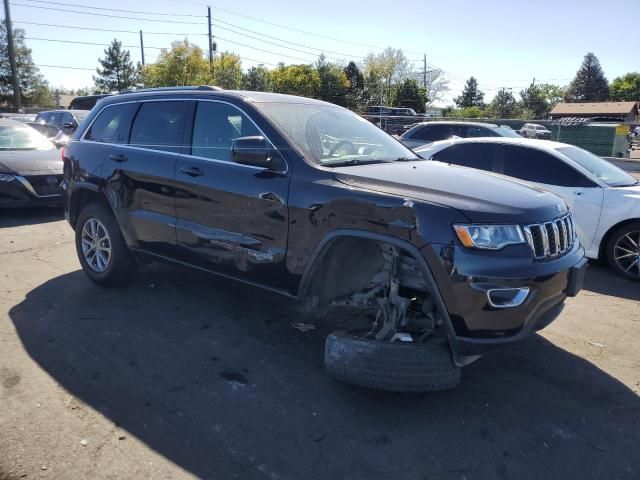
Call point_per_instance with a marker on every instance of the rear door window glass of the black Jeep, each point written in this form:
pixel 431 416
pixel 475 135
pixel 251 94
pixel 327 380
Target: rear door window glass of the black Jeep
pixel 159 126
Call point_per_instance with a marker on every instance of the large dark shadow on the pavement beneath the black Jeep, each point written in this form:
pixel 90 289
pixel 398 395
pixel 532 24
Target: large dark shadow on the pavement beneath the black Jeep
pixel 212 376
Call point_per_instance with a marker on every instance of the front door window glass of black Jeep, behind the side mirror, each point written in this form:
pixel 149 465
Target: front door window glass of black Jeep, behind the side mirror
pixel 214 128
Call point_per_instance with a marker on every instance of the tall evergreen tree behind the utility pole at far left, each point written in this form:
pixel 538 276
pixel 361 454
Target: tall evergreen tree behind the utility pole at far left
pixel 31 83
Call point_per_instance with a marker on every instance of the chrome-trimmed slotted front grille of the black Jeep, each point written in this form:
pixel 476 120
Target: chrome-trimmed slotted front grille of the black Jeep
pixel 551 239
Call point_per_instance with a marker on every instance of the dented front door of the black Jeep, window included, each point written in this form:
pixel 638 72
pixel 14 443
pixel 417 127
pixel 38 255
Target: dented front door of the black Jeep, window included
pixel 231 218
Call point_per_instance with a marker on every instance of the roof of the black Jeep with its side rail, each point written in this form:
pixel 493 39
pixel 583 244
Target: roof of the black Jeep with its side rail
pixel 250 96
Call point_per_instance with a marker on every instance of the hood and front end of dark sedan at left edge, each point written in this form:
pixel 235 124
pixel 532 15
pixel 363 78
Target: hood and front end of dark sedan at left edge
pixel 40 173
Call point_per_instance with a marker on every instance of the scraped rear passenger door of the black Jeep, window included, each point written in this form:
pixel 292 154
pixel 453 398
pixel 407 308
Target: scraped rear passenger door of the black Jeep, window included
pixel 140 174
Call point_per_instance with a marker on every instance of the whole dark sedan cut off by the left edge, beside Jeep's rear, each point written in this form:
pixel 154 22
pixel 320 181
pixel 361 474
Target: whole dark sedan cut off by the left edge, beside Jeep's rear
pixel 30 167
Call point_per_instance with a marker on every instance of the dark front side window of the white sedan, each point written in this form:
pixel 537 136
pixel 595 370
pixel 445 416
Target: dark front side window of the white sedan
pixel 537 166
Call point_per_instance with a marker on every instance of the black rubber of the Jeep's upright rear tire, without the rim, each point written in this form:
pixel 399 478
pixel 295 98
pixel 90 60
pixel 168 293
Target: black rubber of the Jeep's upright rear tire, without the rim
pixel 121 264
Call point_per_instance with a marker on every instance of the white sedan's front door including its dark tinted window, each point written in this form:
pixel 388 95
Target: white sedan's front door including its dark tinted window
pixel 548 172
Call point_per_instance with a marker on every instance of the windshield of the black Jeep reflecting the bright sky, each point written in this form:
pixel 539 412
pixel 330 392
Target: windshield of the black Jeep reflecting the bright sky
pixel 334 136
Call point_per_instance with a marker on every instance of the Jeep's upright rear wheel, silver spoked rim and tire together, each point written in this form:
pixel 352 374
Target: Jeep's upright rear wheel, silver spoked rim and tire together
pixel 102 251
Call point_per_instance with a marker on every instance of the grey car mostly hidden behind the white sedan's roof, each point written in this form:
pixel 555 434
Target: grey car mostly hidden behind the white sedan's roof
pixel 427 132
